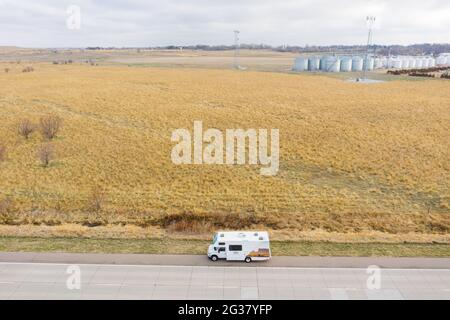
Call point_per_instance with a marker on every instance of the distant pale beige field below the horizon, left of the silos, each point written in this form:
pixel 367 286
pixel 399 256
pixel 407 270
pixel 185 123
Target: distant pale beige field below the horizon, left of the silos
pixel 262 60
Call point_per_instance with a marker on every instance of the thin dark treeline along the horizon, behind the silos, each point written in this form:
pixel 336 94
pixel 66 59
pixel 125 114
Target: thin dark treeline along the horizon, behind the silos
pixel 415 49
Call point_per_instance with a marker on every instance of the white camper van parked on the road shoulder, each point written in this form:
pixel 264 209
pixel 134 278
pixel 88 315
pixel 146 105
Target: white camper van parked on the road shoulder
pixel 245 246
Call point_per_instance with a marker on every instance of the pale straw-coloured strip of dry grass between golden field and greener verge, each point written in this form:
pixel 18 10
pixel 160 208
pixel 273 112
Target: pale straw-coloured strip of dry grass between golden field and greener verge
pixel 154 232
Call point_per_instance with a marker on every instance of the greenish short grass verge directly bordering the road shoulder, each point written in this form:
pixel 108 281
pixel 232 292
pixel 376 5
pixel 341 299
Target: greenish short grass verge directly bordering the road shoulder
pixel 182 246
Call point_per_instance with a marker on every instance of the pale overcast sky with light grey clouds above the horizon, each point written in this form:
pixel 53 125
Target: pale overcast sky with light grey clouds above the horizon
pixel 53 23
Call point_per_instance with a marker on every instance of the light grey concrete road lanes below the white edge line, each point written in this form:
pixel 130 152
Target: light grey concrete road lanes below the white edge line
pixel 59 281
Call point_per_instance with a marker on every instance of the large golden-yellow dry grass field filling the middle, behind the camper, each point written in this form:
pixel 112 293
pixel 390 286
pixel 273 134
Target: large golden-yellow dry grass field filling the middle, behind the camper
pixel 354 158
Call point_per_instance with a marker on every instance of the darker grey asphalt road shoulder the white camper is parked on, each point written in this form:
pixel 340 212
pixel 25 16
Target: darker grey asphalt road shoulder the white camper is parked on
pixel 202 260
